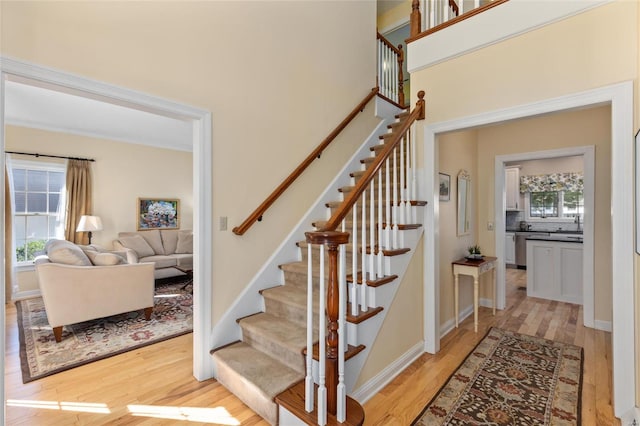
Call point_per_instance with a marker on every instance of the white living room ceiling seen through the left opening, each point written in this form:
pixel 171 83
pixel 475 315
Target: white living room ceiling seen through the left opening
pixel 32 106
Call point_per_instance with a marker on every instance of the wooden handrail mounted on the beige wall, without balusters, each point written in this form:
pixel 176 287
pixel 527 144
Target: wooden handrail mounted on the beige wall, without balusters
pixel 257 213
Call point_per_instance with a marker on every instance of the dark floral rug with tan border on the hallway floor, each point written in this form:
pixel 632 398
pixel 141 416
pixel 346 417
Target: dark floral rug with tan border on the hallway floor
pixel 511 379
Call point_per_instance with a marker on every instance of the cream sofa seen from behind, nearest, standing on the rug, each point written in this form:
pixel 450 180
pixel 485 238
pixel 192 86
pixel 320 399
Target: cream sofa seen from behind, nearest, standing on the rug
pixel 76 289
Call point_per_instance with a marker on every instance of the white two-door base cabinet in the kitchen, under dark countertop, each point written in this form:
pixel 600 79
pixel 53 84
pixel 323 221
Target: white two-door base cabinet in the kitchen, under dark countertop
pixel 554 270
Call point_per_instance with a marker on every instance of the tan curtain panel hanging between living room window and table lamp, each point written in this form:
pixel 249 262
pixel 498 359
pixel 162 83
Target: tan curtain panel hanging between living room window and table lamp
pixel 78 199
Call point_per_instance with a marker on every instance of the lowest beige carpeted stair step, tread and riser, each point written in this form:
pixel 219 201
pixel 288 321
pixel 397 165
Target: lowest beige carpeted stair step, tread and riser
pixel 255 377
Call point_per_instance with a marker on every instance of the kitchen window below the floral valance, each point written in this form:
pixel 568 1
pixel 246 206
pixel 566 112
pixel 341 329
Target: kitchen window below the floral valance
pixel 554 205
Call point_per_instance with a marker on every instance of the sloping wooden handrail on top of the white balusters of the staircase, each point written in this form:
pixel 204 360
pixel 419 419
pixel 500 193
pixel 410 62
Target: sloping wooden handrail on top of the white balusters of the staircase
pixel 417 114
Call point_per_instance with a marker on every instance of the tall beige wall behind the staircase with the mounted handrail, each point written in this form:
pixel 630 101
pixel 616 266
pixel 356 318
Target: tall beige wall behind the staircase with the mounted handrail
pixel 276 76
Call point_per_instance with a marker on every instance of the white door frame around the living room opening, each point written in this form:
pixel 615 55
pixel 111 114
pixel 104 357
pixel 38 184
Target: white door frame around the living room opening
pixel 202 183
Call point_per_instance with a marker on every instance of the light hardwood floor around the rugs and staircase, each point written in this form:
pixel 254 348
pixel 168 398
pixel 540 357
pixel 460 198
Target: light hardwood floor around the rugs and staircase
pixel 154 385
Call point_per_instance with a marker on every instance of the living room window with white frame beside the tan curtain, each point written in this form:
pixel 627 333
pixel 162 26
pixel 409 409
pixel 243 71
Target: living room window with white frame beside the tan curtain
pixel 38 197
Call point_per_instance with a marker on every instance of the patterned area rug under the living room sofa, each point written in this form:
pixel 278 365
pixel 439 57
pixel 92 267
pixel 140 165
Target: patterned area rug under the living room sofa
pixel 90 341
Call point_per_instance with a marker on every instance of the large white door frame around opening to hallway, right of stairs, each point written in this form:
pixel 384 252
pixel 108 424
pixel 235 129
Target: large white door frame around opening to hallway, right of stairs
pixel 620 97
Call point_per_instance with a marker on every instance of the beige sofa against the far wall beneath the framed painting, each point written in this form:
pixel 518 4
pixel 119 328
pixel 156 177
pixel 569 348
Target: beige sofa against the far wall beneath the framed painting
pixel 166 248
